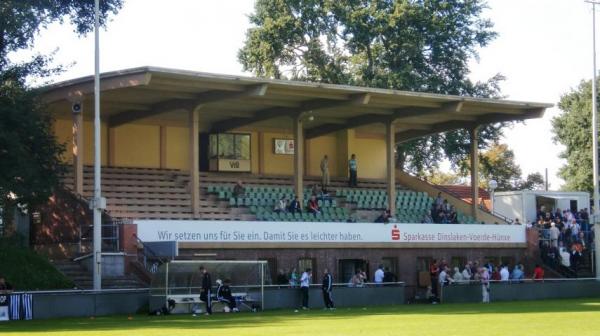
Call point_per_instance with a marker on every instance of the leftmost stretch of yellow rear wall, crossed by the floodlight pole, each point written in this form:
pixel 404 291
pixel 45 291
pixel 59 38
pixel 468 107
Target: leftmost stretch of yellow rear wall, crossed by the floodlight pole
pixel 63 130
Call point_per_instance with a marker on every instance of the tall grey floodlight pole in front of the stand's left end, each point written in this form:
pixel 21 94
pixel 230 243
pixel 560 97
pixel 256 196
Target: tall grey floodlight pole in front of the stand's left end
pixel 97 203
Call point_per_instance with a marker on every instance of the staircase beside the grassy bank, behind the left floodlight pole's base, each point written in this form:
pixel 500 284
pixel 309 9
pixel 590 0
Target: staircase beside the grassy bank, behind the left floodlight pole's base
pixel 83 279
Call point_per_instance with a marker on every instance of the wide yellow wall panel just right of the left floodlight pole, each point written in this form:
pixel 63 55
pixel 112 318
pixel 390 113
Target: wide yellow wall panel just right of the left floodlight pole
pixel 137 146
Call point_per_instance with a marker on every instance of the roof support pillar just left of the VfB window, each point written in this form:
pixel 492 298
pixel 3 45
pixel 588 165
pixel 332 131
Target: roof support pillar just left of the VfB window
pixel 194 162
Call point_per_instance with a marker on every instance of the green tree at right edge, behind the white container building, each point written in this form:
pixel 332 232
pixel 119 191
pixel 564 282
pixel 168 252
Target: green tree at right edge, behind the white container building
pixel 572 129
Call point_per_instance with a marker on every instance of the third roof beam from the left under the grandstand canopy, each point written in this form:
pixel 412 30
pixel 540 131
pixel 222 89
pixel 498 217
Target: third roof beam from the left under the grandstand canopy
pixel 371 118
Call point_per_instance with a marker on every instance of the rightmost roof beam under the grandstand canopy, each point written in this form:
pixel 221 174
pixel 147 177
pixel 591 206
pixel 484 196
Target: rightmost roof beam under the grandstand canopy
pixel 454 124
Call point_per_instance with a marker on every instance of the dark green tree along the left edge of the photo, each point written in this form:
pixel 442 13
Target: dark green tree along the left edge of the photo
pixel 29 153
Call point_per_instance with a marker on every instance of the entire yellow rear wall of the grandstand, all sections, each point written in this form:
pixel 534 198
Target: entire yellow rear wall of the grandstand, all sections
pixel 139 146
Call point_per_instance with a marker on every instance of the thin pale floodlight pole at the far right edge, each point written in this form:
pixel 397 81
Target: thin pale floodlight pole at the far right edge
pixel 596 211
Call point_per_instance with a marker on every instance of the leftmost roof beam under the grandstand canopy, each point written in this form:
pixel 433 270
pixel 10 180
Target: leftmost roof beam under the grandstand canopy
pixel 186 104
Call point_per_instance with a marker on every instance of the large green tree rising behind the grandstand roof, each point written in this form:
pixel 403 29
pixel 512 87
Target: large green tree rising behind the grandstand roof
pixel 415 45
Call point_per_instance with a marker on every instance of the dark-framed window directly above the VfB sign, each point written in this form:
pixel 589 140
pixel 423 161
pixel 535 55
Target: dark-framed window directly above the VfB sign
pixel 231 146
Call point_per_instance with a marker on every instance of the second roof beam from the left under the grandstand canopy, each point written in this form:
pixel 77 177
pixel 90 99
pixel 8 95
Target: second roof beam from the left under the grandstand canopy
pixel 274 112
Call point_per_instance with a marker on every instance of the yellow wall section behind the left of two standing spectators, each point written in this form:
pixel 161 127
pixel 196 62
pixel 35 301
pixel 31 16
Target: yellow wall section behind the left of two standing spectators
pixel 317 148
